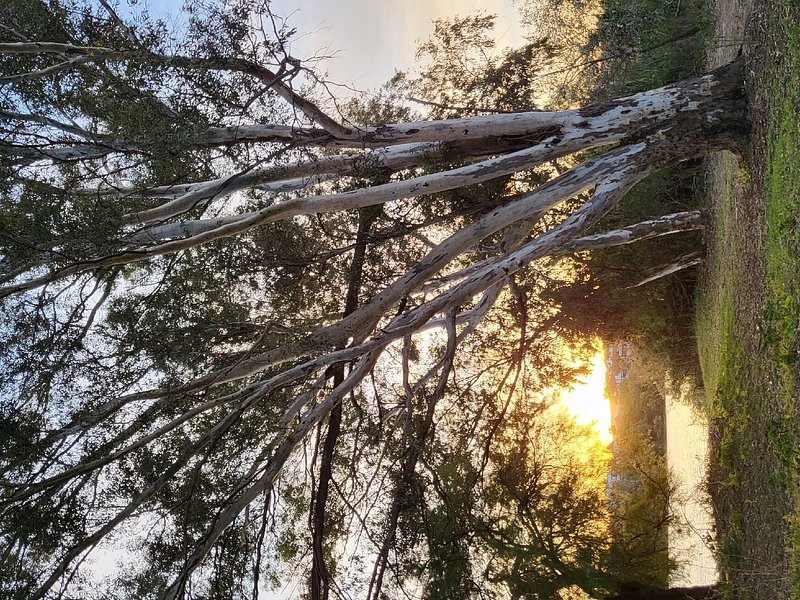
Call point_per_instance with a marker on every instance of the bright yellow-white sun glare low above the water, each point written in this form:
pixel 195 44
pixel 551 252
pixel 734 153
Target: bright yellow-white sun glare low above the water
pixel 587 401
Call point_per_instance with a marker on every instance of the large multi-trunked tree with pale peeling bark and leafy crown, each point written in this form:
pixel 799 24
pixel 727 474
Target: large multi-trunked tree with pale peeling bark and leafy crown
pixel 206 273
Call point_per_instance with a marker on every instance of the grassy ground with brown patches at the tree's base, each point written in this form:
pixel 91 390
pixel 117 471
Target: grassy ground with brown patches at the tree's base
pixel 748 311
